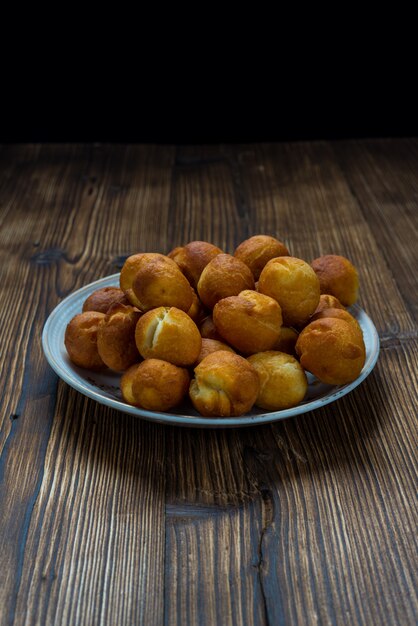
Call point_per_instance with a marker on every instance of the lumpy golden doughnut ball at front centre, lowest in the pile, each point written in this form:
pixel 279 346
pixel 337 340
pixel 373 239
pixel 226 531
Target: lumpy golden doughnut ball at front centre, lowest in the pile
pixel 225 384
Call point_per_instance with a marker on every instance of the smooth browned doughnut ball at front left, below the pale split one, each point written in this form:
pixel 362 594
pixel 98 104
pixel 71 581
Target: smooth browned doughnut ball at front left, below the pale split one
pixel 155 385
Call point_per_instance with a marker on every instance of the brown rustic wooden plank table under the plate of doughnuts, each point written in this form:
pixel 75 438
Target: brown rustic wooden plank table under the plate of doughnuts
pixel 108 519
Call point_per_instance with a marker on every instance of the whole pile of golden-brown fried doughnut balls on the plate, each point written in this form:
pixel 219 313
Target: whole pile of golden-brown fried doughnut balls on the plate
pixel 229 331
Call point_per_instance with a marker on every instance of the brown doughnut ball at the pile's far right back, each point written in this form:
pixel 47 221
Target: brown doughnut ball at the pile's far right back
pixel 337 277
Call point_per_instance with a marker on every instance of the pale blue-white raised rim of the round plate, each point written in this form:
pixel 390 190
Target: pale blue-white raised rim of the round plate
pixel 199 421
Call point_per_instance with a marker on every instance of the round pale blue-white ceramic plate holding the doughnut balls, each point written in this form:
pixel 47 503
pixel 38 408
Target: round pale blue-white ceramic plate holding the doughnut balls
pixel 104 386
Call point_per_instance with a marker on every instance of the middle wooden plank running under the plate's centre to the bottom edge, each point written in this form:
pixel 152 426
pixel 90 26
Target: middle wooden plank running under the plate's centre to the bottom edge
pixel 210 555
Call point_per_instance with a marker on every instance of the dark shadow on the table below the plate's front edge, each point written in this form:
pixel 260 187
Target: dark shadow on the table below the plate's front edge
pixel 229 467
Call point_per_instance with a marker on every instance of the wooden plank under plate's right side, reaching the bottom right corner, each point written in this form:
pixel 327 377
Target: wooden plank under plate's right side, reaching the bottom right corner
pixel 332 545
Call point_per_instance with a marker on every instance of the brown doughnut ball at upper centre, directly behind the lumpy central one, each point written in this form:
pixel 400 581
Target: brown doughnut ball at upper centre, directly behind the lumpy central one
pixel 224 276
